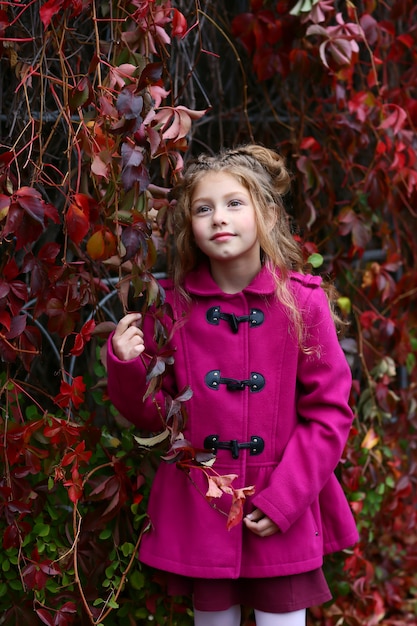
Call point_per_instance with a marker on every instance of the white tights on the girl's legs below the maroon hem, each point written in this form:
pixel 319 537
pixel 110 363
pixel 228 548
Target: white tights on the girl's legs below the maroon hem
pixel 231 617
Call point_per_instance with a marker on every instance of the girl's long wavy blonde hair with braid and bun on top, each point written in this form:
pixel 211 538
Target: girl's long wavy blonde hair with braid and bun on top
pixel 263 173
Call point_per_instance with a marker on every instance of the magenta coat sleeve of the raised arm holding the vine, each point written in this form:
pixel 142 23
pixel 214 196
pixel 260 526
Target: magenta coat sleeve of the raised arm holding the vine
pixel 127 385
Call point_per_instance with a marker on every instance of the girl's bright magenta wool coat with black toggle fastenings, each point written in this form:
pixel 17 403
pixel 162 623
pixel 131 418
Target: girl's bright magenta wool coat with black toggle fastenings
pixel 297 403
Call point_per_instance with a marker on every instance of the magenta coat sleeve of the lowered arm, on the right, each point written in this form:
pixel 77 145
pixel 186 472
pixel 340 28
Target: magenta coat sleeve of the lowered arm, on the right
pixel 323 420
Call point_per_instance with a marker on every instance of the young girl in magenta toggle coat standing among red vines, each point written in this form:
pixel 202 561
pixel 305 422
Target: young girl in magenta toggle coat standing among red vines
pixel 270 397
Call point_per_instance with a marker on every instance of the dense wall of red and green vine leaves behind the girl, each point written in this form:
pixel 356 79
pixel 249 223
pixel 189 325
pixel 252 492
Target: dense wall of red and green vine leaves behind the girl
pixel 100 105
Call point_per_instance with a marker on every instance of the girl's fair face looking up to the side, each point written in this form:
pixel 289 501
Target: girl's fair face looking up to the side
pixel 223 220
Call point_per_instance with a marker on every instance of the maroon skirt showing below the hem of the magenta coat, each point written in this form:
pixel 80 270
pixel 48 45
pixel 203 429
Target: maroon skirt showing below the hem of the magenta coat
pixel 281 594
